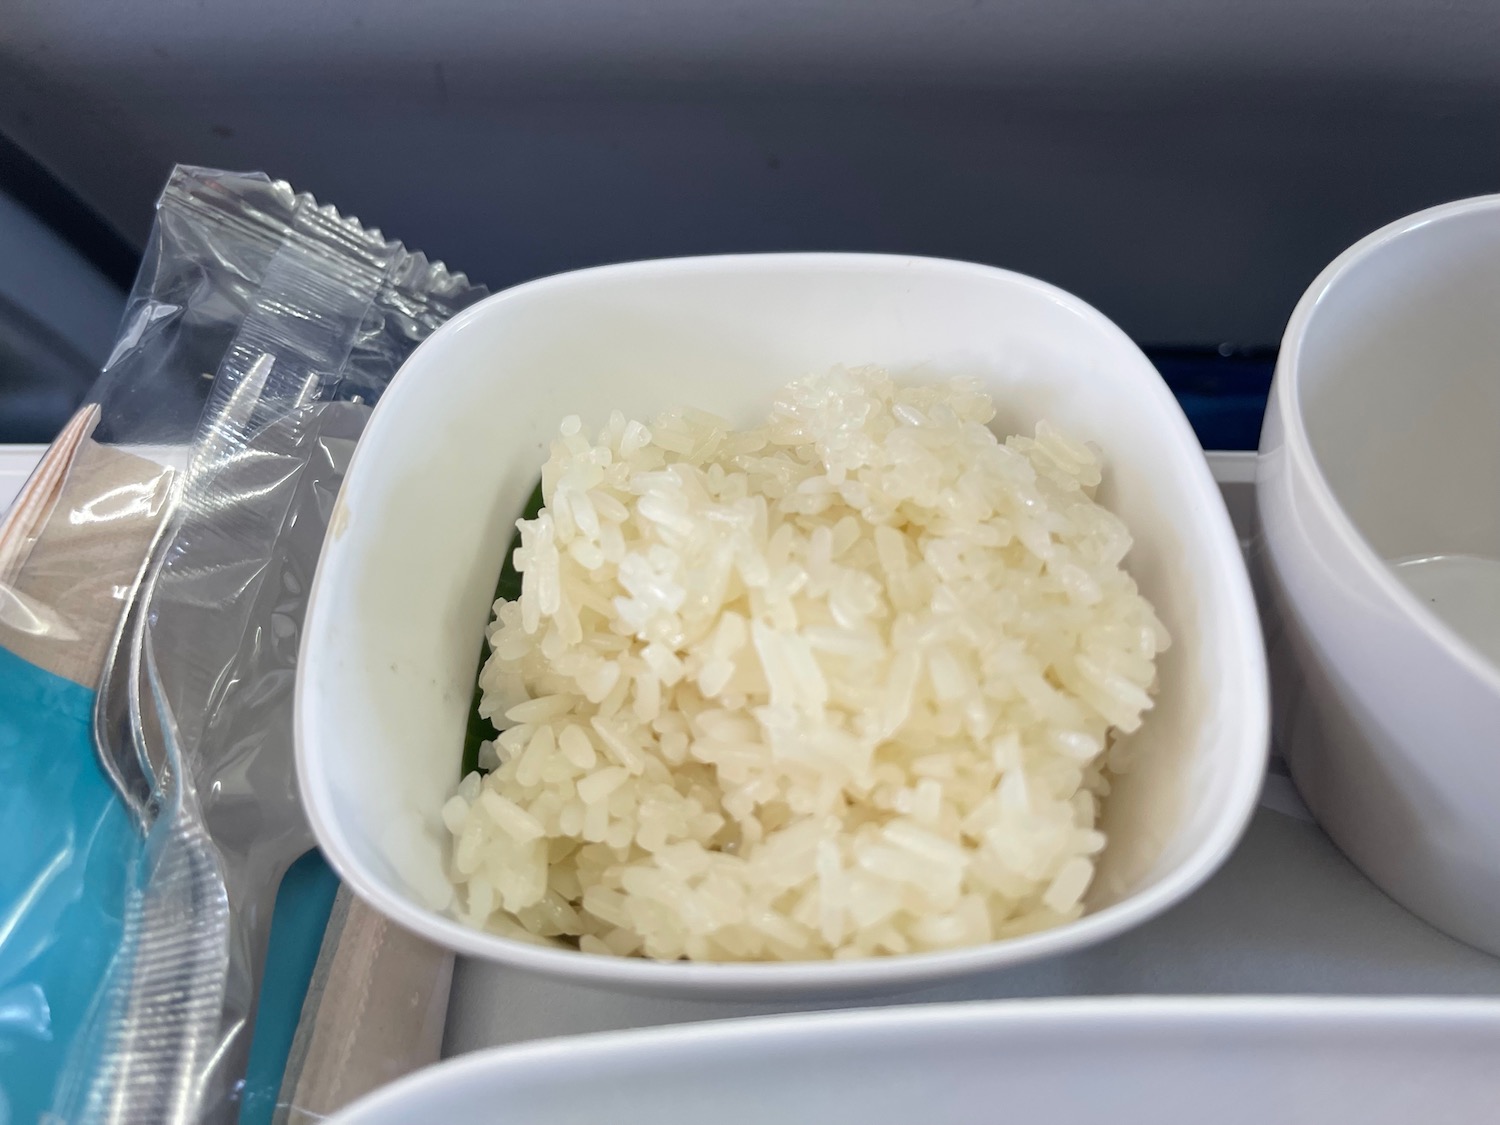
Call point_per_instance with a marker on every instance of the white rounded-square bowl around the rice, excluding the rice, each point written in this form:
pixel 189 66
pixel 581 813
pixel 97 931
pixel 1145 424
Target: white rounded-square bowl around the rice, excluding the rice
pixel 403 592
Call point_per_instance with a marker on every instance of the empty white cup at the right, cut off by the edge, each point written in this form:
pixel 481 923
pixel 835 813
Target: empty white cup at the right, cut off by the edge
pixel 1379 491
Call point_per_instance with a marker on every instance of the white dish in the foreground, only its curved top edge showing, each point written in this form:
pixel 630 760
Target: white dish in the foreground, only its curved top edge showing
pixel 1043 1063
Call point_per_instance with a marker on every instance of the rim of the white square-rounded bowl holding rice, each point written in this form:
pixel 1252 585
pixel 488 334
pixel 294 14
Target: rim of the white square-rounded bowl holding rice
pixel 1250 739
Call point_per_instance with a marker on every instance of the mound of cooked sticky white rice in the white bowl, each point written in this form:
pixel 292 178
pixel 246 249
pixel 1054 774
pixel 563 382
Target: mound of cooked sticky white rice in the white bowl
pixel 839 686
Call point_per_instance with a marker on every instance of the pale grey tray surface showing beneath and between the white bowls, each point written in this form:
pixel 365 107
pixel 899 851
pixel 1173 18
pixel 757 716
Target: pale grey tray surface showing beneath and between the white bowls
pixel 1288 914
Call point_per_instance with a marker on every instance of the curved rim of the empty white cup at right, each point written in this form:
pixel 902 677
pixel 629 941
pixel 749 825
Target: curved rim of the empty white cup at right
pixel 1288 397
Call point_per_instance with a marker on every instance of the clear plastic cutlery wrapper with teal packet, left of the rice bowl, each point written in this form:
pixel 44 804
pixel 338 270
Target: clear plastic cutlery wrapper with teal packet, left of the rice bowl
pixel 152 589
